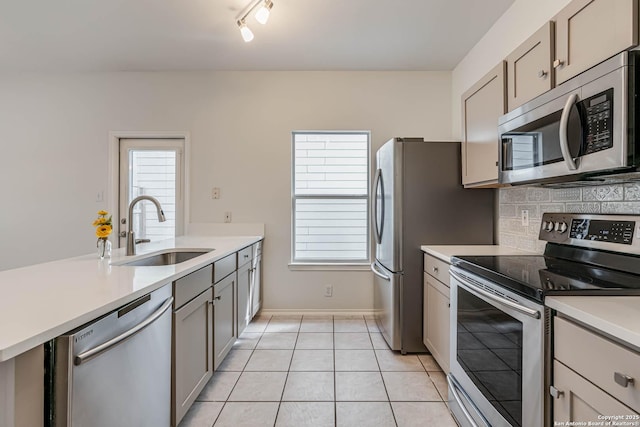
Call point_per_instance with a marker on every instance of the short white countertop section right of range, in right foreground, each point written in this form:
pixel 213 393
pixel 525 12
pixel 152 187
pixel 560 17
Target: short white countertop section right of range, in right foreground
pixel 618 317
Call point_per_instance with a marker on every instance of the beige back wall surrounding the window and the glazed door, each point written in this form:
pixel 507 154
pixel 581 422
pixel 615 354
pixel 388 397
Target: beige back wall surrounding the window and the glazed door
pixel 55 143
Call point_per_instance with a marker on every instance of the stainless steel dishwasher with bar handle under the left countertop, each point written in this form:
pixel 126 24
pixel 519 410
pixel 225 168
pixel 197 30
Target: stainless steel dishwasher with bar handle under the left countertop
pixel 116 370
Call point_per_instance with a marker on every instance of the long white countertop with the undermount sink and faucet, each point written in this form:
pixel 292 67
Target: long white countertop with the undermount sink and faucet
pixel 43 301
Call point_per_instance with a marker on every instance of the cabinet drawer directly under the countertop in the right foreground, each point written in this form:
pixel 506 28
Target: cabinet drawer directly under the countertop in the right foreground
pixel 598 360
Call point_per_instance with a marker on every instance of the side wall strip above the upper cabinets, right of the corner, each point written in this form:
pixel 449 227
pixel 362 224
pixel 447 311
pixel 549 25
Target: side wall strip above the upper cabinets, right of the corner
pixel 519 22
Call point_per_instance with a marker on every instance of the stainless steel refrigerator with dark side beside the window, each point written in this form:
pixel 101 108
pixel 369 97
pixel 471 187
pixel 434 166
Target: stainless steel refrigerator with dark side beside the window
pixel 418 200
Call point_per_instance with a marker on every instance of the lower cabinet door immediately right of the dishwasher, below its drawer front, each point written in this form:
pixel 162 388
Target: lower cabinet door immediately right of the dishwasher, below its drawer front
pixel 192 353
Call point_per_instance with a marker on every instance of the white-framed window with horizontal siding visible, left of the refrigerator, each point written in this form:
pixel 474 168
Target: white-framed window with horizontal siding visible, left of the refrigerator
pixel 330 202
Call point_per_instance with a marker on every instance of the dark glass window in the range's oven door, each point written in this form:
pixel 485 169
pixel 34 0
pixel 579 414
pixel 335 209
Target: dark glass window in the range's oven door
pixel 489 349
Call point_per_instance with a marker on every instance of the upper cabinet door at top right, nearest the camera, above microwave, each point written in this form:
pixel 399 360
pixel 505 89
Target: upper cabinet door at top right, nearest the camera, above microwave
pixel 590 31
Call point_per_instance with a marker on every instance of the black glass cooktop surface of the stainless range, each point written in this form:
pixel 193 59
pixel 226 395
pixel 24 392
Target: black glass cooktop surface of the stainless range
pixel 535 276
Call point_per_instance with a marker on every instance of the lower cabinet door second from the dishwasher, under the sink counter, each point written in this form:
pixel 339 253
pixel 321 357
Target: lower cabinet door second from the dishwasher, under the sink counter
pixel 224 317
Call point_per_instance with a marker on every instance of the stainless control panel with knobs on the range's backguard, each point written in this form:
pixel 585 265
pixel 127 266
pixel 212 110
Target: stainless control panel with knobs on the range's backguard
pixel 611 232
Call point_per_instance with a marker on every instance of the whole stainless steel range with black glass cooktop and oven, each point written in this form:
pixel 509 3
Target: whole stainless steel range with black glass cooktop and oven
pixel 500 344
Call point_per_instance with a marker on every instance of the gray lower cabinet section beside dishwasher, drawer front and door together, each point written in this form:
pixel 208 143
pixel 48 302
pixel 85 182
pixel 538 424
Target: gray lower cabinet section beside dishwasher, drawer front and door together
pixel 192 361
